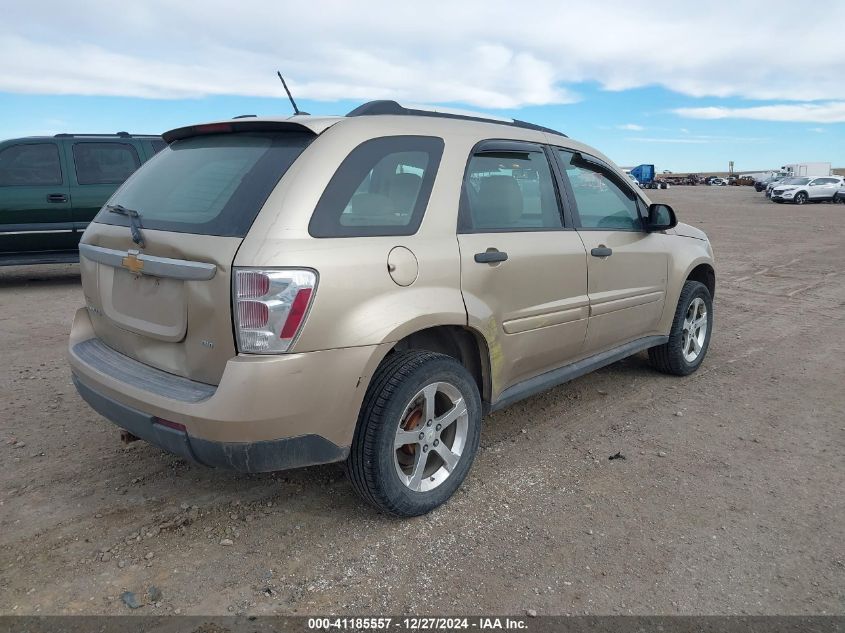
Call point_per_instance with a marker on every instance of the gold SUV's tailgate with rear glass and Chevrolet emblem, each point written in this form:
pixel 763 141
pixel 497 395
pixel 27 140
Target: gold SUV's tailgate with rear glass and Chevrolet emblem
pixel 167 300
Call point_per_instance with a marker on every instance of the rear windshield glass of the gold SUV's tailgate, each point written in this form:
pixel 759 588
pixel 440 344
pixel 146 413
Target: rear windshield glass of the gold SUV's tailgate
pixel 211 185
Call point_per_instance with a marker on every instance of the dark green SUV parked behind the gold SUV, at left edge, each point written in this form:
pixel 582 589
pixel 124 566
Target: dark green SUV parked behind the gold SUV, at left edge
pixel 51 187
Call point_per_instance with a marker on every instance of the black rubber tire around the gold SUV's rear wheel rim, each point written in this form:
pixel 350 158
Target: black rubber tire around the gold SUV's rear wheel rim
pixel 370 465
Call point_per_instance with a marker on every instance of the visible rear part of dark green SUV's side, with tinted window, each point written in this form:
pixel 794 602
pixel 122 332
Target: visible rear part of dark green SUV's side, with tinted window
pixel 99 167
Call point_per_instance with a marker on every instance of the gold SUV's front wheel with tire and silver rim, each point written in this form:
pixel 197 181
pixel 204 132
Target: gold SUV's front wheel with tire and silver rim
pixel 689 338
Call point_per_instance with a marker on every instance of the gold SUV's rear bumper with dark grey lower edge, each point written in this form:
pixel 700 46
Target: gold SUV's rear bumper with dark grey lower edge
pixel 267 412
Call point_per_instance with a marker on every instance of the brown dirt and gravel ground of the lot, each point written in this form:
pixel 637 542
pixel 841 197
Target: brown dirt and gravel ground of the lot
pixel 730 499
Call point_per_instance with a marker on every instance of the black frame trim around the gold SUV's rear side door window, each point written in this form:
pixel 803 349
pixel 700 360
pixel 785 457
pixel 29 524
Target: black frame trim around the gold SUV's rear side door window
pixel 465 224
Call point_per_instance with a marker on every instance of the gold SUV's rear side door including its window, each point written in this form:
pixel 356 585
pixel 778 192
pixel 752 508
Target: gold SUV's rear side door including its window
pixel 523 271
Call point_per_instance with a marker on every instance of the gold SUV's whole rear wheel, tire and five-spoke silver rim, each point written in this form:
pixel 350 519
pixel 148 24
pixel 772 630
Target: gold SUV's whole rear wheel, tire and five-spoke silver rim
pixel 417 434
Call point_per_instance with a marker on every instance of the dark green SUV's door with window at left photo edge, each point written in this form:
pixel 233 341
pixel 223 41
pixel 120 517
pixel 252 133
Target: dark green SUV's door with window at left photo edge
pixel 34 198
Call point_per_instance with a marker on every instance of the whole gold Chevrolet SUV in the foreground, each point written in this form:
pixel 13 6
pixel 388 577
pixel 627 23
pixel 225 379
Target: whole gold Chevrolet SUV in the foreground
pixel 273 293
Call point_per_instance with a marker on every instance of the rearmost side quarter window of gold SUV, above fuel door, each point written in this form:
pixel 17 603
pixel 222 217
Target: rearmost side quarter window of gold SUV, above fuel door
pixel 381 188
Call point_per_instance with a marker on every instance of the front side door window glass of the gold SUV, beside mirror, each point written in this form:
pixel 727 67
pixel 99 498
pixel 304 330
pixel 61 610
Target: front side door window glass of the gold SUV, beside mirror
pixel 603 201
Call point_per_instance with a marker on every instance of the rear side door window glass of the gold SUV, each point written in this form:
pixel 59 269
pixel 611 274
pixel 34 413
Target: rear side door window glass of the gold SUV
pixel 510 190
